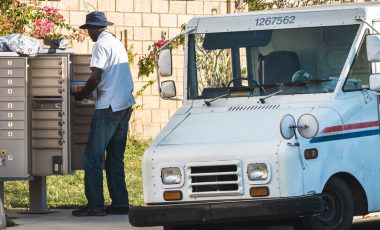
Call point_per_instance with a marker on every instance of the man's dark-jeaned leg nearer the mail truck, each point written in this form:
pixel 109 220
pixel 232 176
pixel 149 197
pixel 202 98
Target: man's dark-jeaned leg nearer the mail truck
pixel 115 162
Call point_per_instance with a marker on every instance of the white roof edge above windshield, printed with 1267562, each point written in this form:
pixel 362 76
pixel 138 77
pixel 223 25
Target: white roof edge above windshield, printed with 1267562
pixel 325 15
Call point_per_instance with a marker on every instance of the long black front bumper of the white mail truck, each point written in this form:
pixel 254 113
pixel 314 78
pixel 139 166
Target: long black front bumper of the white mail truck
pixel 228 211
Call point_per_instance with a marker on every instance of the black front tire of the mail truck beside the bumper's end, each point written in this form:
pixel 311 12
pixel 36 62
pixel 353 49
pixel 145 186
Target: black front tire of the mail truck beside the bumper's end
pixel 338 210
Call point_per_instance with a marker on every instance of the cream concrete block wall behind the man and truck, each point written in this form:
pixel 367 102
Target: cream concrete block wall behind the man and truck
pixel 143 21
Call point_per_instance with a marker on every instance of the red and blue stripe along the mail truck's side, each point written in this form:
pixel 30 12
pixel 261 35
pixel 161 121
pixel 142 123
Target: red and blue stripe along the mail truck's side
pixel 348 131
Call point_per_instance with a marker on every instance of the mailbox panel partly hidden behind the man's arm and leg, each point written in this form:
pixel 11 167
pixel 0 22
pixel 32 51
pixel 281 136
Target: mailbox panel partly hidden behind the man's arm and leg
pixel 81 112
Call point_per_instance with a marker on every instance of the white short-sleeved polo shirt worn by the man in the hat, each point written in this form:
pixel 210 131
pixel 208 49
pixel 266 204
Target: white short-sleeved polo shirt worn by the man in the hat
pixel 116 85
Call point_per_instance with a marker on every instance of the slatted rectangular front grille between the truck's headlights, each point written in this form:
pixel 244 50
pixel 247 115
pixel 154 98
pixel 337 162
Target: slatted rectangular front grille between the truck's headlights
pixel 211 180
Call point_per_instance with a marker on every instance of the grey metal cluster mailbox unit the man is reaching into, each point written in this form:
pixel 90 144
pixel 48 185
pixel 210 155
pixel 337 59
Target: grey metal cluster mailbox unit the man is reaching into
pixel 43 131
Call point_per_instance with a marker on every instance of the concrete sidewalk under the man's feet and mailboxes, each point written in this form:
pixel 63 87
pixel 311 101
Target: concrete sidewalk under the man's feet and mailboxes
pixel 62 219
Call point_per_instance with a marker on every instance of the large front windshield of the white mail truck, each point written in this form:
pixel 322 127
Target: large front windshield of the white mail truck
pixel 256 63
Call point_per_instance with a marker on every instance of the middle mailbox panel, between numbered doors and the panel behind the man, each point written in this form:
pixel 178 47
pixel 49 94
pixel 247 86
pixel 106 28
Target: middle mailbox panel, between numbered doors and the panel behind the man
pixel 50 115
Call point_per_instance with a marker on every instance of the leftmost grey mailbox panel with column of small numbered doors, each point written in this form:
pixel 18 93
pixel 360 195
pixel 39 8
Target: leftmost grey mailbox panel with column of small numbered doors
pixel 14 113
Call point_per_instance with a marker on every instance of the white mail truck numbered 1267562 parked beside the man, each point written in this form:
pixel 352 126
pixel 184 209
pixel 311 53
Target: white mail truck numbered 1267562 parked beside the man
pixel 280 119
